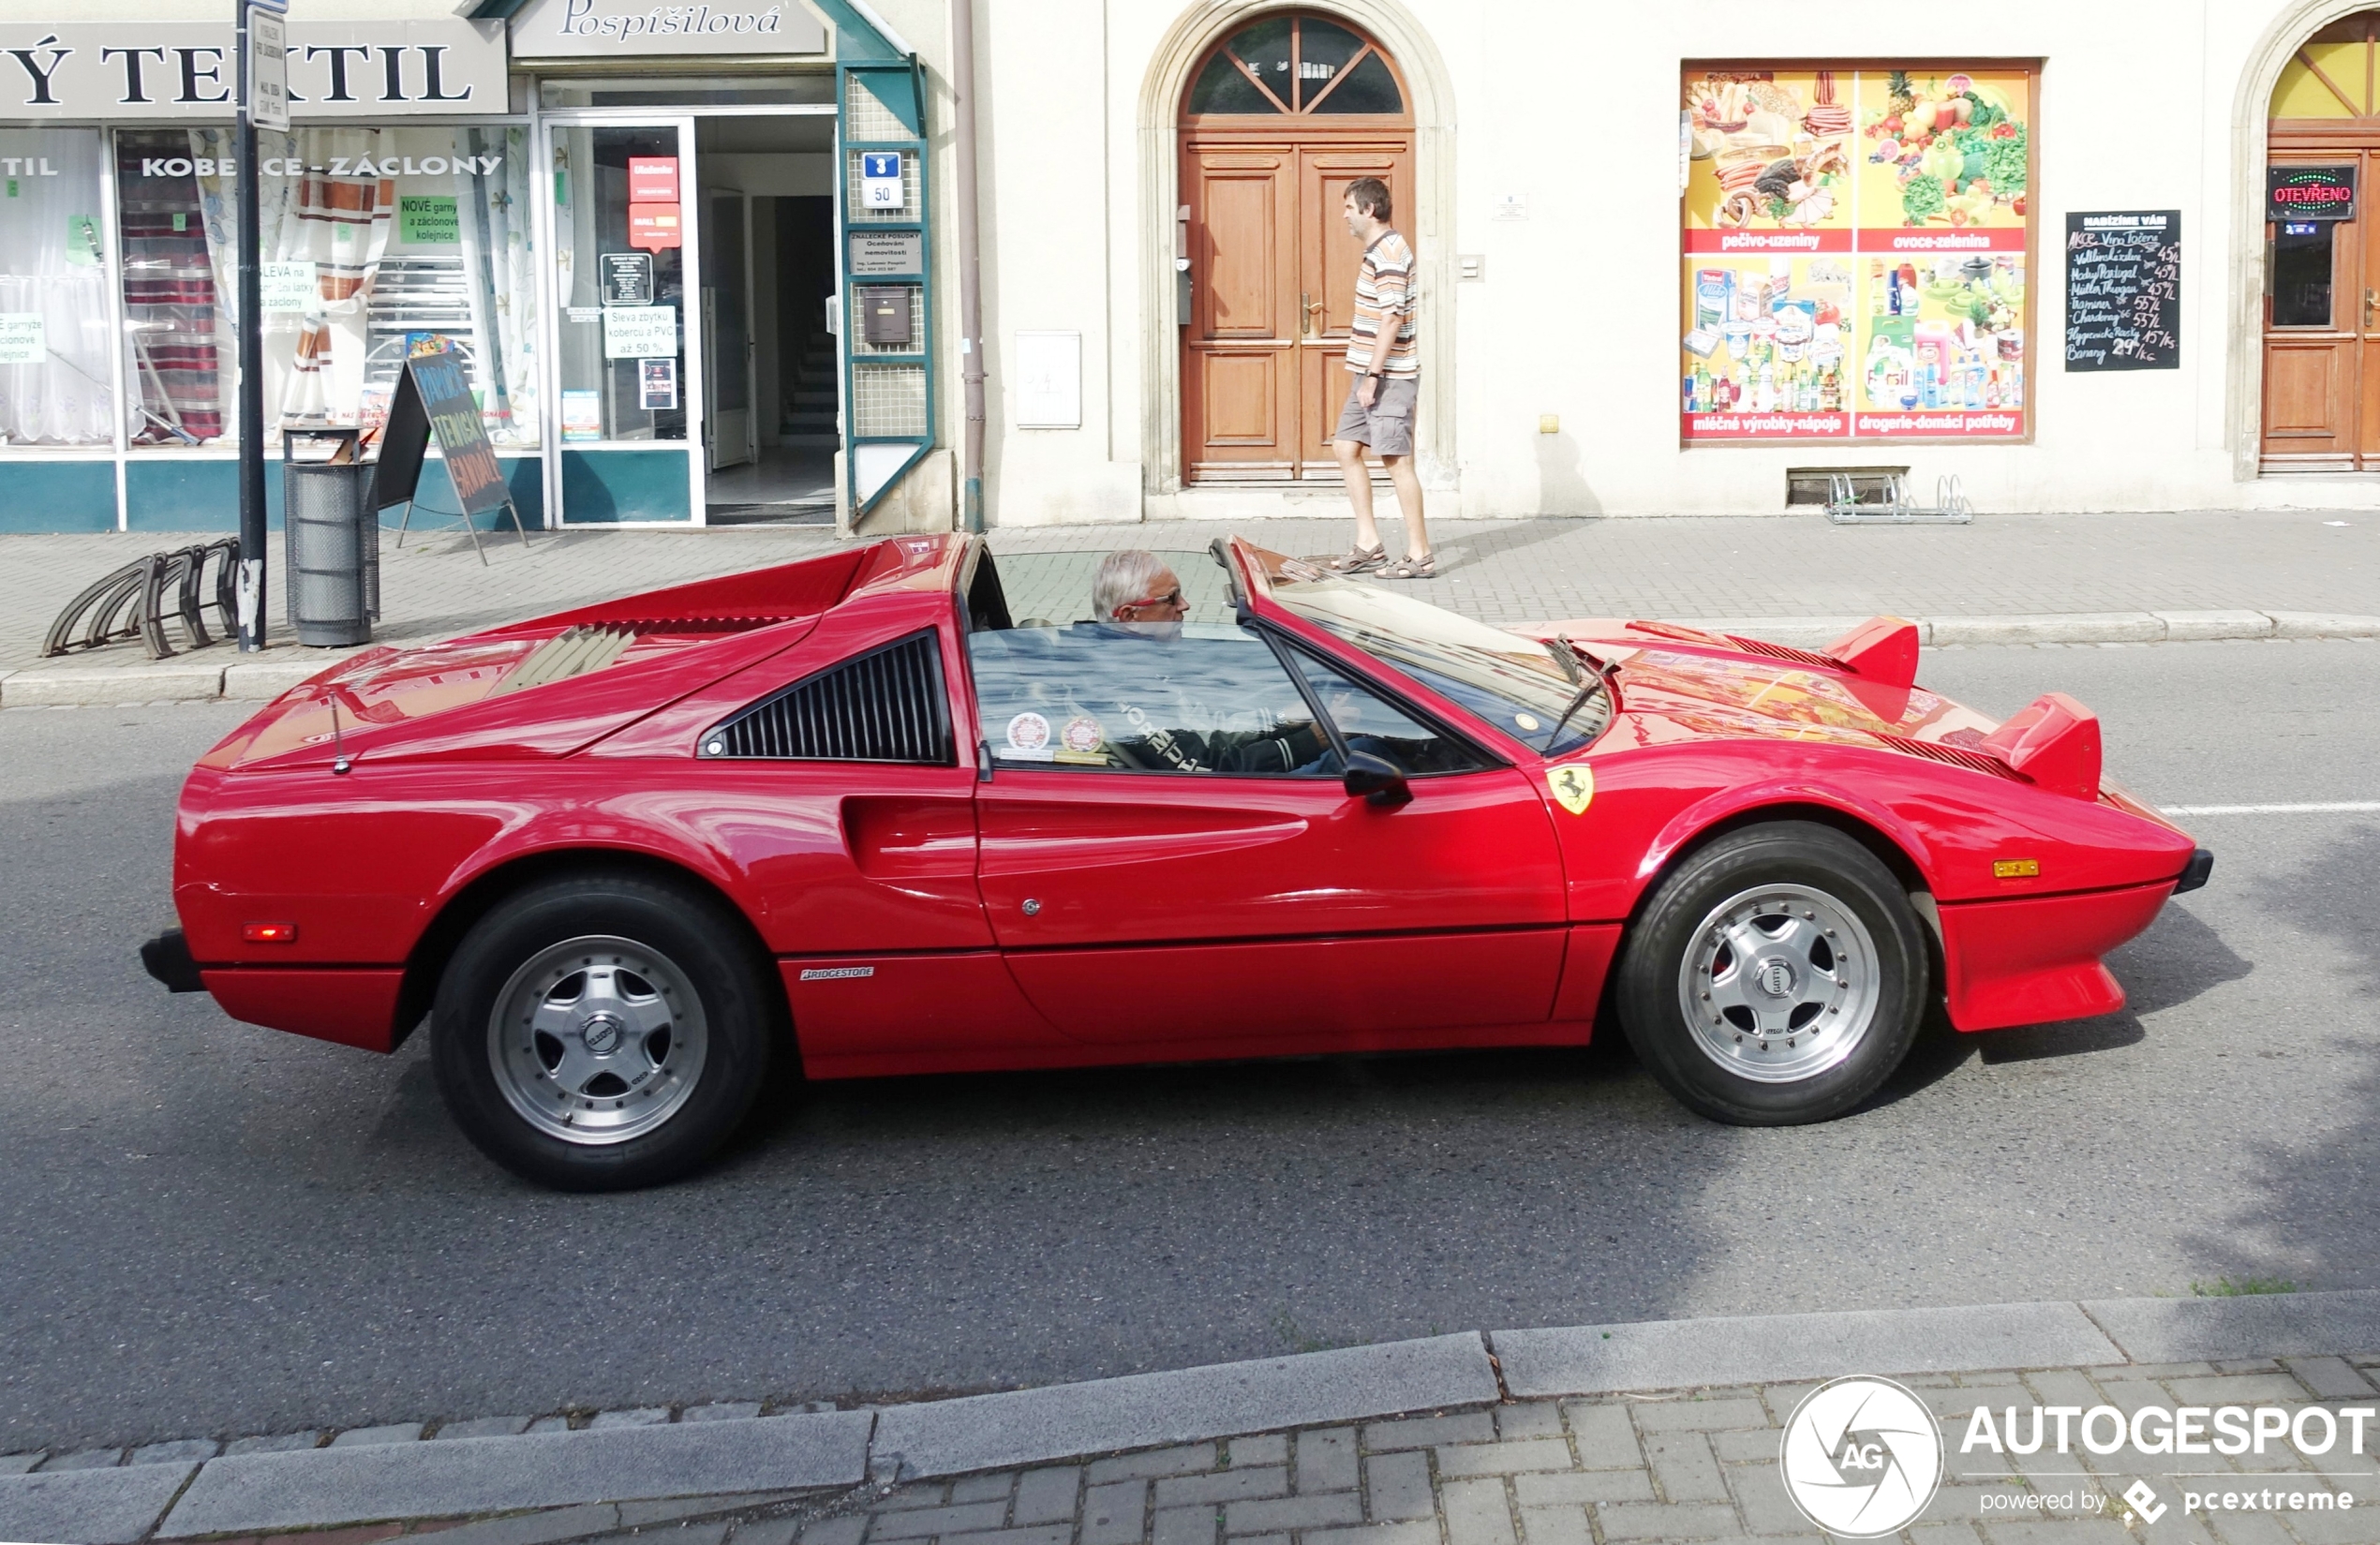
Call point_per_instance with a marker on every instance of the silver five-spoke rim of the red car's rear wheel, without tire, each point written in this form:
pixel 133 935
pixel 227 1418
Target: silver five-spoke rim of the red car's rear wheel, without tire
pixel 599 1039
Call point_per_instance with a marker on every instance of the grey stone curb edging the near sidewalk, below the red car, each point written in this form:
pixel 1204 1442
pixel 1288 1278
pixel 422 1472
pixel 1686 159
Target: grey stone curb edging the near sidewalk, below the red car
pixel 739 1458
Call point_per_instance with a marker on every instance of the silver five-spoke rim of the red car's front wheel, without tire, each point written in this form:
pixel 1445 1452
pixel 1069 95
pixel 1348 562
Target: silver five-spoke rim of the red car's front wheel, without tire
pixel 1779 984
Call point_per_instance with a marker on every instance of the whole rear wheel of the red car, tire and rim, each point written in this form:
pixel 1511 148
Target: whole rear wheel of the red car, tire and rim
pixel 603 1032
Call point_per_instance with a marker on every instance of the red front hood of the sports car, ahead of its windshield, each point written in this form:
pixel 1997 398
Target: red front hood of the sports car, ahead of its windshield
pixel 1684 684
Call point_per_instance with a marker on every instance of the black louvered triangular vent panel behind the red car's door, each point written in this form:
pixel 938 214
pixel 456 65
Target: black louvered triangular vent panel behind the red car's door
pixel 884 706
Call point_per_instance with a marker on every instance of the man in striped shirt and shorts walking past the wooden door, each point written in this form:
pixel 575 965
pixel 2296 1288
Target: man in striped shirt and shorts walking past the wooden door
pixel 1386 384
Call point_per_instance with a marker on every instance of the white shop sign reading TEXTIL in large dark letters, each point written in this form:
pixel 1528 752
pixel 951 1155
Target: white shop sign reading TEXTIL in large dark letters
pixel 189 70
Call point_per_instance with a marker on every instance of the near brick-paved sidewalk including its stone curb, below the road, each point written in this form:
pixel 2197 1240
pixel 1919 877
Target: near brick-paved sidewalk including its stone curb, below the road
pixel 1565 1437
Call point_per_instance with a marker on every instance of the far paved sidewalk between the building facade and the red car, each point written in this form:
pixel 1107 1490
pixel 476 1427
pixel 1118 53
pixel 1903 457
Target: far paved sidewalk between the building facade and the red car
pixel 1793 580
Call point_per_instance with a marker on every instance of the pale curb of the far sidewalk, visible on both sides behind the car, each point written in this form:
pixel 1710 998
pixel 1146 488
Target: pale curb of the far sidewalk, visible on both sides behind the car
pixel 265 680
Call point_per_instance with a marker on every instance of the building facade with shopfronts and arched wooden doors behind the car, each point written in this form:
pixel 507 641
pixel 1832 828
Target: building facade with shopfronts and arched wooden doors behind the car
pixel 1672 263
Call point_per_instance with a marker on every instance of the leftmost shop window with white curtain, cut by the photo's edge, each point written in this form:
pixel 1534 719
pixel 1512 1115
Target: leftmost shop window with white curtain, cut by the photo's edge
pixel 56 370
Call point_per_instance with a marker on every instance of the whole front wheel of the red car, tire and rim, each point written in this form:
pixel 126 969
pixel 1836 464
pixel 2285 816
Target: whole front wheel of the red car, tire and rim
pixel 1777 977
